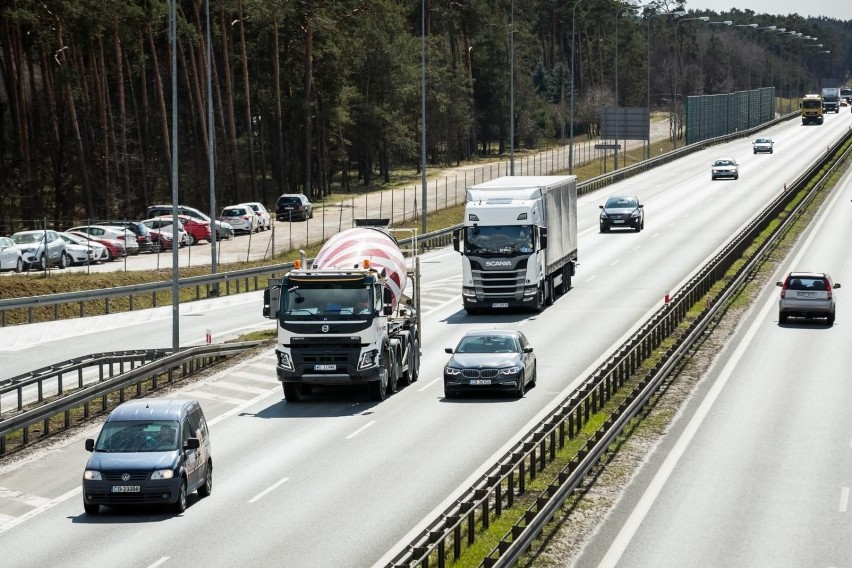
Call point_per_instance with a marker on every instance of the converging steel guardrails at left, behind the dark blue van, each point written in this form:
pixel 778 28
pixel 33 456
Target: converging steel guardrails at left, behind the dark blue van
pixel 153 374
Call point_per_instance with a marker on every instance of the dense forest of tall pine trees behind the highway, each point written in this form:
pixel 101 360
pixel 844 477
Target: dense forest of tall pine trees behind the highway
pixel 317 96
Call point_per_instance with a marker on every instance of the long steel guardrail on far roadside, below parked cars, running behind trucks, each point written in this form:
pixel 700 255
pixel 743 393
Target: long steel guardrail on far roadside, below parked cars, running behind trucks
pixel 144 296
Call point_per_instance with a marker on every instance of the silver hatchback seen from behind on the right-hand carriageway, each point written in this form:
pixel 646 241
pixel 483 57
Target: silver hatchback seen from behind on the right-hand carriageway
pixel 808 295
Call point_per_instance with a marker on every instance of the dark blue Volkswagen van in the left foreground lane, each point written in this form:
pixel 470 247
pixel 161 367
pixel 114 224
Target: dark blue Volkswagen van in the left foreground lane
pixel 149 451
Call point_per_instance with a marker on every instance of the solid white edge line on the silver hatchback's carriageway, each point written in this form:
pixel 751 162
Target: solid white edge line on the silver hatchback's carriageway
pixel 631 526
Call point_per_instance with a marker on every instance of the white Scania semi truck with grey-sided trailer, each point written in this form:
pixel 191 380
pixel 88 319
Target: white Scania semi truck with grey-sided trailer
pixel 518 242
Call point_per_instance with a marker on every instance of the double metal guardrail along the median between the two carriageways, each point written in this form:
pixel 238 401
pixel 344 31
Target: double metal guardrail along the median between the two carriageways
pixel 443 539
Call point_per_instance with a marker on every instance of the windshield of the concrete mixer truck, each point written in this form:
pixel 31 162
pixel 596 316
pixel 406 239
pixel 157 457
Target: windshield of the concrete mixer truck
pixel 327 300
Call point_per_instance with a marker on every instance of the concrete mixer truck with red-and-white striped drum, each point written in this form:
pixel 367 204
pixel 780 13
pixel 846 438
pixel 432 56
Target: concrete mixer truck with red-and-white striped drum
pixel 352 318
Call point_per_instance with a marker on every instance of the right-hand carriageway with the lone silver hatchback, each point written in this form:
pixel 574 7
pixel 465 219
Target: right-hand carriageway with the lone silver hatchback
pixel 758 468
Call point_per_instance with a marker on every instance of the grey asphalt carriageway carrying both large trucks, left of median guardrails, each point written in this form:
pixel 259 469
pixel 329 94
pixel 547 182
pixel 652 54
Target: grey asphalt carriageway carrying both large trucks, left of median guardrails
pixel 340 480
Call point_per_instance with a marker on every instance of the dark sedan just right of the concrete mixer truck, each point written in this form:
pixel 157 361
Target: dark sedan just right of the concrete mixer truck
pixel 490 359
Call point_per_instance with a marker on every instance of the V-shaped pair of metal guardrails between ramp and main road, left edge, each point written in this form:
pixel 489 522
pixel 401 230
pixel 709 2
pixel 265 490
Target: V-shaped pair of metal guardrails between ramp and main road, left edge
pixel 188 361
